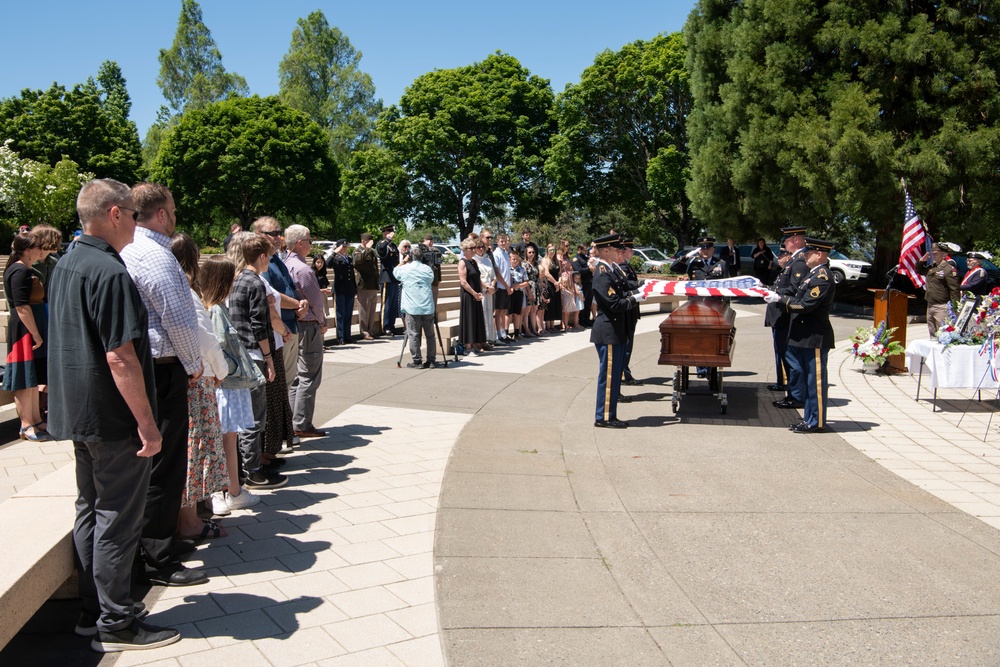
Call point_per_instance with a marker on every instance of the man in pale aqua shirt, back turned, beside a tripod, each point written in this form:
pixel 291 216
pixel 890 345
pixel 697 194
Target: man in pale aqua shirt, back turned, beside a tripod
pixel 416 276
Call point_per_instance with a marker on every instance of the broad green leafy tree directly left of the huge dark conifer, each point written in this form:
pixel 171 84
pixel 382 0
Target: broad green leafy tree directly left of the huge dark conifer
pixel 622 141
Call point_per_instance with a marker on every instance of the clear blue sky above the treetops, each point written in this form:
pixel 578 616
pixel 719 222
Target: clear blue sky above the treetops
pixel 66 40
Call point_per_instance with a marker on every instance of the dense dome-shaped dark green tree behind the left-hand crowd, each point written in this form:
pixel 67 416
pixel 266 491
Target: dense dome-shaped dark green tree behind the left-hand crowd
pixel 246 157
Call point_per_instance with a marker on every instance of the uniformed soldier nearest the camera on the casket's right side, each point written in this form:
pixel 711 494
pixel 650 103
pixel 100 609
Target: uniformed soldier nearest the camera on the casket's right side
pixel 810 334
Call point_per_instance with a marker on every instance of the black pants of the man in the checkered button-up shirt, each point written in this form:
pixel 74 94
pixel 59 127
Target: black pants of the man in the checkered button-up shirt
pixel 166 481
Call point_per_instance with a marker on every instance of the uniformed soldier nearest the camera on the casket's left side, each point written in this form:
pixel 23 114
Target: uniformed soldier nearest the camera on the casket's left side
pixel 610 330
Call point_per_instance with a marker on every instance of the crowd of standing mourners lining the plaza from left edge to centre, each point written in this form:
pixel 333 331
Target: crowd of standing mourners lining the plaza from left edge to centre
pixel 183 382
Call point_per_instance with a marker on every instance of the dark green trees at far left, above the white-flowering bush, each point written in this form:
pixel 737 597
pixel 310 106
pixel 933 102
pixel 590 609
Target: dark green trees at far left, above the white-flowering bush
pixel 88 123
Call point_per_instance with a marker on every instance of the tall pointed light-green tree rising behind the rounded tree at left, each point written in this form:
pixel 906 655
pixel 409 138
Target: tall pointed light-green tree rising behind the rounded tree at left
pixel 191 70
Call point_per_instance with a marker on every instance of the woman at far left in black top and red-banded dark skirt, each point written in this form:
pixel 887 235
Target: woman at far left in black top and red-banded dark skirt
pixel 26 329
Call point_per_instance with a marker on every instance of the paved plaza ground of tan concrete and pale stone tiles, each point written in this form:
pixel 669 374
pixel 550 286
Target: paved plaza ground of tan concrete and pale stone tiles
pixel 479 516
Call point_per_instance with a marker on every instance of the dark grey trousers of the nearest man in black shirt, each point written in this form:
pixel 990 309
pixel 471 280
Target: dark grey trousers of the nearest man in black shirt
pixel 111 484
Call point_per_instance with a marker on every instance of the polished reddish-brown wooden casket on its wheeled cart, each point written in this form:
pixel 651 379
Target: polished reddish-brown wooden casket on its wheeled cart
pixel 699 333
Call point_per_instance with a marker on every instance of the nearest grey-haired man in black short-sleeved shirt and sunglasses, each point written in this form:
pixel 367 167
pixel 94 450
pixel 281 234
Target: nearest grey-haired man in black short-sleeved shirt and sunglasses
pixel 101 384
